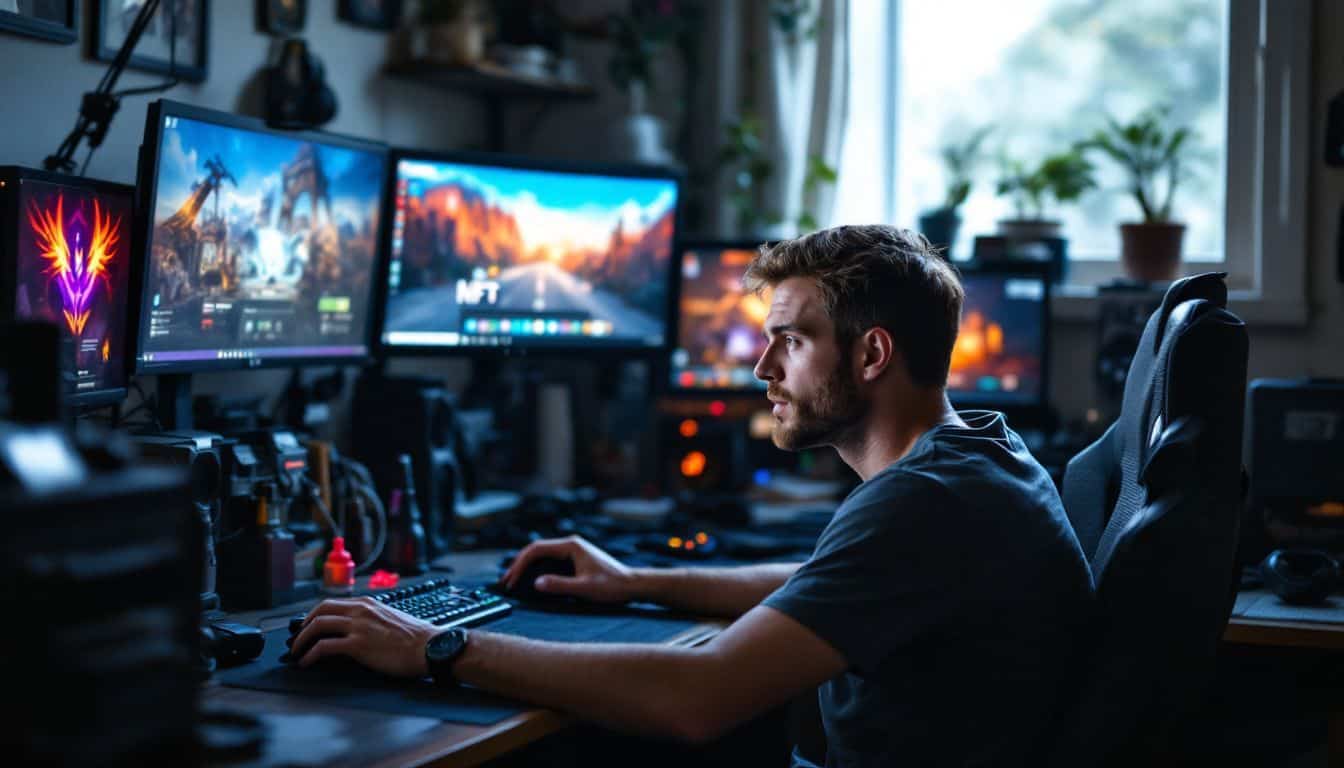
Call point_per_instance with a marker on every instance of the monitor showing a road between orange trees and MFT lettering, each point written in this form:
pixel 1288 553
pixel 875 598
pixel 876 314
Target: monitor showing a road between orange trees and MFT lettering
pixel 511 256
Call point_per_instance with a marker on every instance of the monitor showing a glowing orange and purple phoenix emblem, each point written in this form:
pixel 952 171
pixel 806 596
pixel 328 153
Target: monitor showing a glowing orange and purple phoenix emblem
pixel 65 259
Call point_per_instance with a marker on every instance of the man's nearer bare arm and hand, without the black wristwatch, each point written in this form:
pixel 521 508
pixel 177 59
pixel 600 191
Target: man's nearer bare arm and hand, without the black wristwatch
pixel 696 695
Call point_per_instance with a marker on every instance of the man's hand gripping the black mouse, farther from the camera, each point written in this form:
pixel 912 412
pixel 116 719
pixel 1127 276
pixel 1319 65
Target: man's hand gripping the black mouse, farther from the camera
pixel 597 576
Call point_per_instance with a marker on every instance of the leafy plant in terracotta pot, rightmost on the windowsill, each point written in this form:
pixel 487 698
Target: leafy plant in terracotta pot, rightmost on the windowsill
pixel 1151 154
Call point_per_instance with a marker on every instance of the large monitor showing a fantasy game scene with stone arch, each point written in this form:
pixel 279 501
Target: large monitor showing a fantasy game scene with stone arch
pixel 259 247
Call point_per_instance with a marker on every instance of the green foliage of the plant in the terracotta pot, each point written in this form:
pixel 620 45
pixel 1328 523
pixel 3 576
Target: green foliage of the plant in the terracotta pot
pixel 1151 153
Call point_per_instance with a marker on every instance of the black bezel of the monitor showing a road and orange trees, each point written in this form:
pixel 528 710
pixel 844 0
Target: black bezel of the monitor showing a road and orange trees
pixel 384 350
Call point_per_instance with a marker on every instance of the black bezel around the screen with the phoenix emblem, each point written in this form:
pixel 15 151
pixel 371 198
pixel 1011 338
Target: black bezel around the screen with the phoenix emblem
pixel 10 264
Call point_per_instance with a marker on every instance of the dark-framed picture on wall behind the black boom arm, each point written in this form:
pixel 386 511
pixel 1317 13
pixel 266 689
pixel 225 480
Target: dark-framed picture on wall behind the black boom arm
pixel 153 54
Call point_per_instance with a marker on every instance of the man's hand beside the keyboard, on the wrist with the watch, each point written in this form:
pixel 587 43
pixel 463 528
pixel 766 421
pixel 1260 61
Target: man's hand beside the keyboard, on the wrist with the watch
pixel 376 636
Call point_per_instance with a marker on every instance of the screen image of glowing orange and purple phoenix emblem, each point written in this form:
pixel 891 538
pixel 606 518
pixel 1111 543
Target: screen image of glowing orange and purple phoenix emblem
pixel 73 267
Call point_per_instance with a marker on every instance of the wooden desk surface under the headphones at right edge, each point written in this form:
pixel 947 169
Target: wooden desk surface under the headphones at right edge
pixel 1261 619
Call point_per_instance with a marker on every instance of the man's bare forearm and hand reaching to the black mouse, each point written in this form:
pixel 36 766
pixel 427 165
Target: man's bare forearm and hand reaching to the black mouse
pixel 724 592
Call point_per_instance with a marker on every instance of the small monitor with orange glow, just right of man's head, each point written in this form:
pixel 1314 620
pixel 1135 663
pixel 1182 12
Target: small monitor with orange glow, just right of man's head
pixel 1002 357
